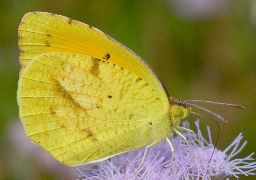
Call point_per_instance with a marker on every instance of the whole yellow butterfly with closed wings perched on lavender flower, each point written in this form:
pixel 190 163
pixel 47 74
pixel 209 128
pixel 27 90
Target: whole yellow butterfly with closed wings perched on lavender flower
pixel 85 97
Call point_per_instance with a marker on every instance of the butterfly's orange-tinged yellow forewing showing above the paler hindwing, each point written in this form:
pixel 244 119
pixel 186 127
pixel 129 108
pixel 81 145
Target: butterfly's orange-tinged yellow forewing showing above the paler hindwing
pixel 41 32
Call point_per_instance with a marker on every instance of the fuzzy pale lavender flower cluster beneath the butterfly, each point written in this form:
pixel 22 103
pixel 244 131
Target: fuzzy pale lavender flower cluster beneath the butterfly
pixel 193 158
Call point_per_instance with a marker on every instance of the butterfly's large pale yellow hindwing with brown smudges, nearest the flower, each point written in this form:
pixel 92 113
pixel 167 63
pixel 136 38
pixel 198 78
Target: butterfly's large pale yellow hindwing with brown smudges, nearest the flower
pixel 82 109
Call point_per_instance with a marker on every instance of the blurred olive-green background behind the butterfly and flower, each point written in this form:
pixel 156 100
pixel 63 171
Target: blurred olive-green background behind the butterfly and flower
pixel 201 49
